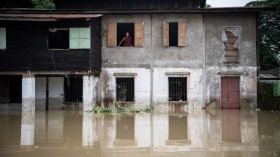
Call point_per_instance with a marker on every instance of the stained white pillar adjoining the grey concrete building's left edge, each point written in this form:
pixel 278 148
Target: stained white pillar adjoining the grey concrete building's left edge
pixel 89 86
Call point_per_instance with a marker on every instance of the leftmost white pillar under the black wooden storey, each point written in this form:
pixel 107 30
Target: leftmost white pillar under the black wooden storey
pixel 28 92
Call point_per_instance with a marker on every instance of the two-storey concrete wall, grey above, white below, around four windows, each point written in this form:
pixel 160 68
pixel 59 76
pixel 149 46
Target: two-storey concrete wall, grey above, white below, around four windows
pixel 153 60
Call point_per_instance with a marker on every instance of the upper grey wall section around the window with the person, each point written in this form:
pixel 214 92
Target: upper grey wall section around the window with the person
pixel 127 56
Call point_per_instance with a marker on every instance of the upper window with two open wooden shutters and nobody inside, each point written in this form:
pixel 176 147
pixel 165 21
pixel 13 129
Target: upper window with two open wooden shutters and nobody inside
pixel 174 33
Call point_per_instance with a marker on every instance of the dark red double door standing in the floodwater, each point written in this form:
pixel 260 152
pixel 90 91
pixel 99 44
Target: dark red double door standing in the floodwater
pixel 230 95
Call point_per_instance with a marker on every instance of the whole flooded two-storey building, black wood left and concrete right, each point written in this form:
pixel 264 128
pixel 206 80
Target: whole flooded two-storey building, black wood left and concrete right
pixel 177 54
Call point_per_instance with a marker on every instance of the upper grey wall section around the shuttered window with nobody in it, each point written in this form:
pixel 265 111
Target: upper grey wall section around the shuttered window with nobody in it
pixel 190 56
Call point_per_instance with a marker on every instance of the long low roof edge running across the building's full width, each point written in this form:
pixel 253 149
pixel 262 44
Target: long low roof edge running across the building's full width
pixel 52 15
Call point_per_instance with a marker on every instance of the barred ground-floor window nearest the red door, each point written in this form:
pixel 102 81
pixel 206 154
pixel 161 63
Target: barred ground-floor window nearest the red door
pixel 177 88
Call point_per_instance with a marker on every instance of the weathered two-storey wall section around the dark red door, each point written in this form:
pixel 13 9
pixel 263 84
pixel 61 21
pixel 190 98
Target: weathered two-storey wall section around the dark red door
pixel 246 68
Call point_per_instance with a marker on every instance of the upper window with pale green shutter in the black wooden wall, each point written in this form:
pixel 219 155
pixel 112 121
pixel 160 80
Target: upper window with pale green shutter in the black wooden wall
pixel 73 38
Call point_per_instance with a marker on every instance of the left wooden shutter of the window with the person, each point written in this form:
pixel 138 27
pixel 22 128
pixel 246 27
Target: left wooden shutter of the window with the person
pixel 111 34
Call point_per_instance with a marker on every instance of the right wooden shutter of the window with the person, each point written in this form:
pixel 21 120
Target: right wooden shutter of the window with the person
pixel 139 34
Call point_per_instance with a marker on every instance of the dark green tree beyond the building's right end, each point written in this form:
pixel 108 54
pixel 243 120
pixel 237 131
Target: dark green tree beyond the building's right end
pixel 269 34
